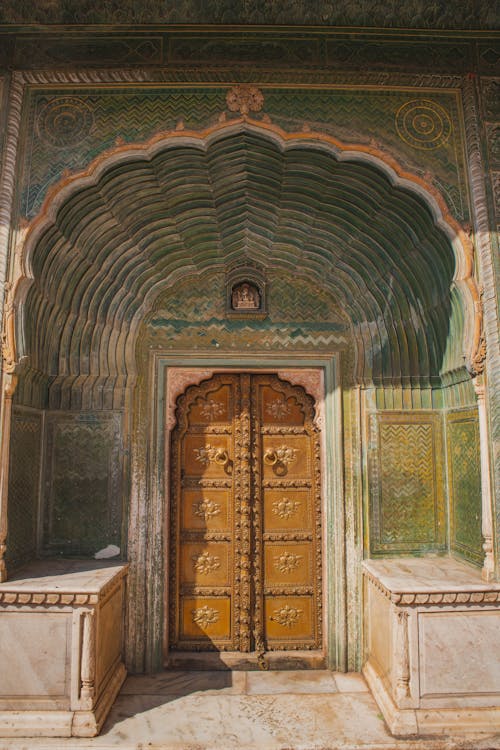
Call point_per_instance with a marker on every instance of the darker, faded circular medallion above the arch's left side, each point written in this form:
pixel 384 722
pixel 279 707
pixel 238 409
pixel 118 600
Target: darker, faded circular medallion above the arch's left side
pixel 64 121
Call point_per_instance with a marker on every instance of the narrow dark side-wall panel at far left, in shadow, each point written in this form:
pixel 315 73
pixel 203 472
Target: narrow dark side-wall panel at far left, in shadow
pixel 24 475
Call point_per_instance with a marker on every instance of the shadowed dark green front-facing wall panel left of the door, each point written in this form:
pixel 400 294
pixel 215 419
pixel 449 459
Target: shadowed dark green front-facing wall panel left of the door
pixel 83 495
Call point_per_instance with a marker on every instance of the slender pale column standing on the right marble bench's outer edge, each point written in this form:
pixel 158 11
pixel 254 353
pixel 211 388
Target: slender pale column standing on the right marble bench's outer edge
pixel 488 571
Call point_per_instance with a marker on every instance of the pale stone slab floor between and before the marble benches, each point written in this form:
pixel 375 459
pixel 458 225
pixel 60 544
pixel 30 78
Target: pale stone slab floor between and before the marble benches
pixel 315 710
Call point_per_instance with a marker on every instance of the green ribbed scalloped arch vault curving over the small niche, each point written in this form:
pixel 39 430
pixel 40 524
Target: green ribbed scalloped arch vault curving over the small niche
pixel 112 240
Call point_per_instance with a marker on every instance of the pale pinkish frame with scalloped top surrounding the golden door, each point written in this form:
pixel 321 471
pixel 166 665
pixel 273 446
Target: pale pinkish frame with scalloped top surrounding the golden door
pixel 319 375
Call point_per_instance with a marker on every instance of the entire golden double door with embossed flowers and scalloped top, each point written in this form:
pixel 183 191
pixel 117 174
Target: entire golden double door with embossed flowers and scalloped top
pixel 245 541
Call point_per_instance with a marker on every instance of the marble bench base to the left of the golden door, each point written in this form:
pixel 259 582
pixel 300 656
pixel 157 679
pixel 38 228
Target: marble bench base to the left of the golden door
pixel 61 648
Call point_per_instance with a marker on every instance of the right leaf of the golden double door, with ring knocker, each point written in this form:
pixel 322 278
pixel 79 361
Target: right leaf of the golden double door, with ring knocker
pixel 287 515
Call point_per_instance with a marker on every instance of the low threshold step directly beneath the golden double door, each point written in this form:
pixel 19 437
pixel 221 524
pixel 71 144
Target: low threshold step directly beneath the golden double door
pixel 228 660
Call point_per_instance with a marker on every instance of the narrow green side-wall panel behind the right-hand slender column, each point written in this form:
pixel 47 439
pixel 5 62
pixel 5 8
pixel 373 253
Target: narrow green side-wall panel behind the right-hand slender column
pixel 464 468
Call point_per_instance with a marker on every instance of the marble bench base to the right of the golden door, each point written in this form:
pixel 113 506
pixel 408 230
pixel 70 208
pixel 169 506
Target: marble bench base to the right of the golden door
pixel 431 635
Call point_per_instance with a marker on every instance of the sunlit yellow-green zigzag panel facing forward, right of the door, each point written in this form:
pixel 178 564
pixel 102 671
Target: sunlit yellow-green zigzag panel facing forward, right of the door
pixel 407 513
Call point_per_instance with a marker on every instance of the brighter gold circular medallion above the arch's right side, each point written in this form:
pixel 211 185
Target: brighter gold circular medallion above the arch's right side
pixel 423 124
